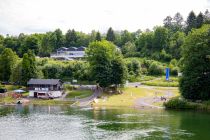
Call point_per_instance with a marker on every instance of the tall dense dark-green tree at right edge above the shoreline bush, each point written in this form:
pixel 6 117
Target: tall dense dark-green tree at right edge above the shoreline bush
pixel 194 83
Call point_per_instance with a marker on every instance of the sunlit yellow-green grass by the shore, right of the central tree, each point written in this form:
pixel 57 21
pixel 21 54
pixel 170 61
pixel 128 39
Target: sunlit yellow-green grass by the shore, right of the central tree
pixel 127 99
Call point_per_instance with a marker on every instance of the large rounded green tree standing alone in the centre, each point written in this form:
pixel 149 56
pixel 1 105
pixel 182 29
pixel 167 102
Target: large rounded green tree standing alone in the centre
pixel 105 59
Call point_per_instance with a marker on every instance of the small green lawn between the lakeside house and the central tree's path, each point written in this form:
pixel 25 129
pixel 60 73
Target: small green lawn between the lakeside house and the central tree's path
pixel 79 93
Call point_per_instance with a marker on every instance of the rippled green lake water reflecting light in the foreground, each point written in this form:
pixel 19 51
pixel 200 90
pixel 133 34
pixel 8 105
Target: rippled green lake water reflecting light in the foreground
pixel 65 123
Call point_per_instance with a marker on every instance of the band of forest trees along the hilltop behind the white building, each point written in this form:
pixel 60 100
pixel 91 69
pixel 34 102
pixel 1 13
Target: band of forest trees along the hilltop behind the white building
pixel 150 43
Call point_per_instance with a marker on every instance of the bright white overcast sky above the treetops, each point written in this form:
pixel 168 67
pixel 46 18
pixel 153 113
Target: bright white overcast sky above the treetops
pixel 39 16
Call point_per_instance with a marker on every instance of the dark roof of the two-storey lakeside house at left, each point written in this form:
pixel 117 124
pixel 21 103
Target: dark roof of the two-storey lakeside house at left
pixel 43 81
